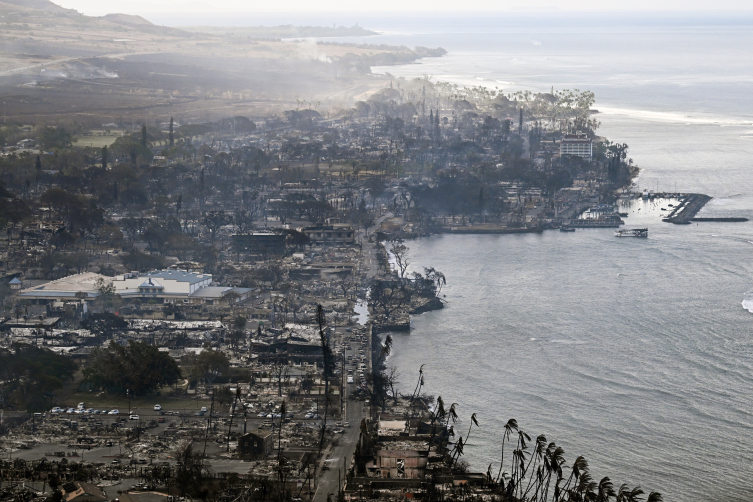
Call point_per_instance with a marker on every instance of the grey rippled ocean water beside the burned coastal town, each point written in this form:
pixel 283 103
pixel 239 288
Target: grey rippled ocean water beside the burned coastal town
pixel 637 354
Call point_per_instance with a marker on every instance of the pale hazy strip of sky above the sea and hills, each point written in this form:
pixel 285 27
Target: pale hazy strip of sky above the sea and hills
pixel 271 11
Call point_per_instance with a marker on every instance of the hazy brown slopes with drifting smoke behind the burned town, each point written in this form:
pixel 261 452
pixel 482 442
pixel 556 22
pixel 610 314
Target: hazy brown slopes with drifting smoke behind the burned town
pixel 59 66
